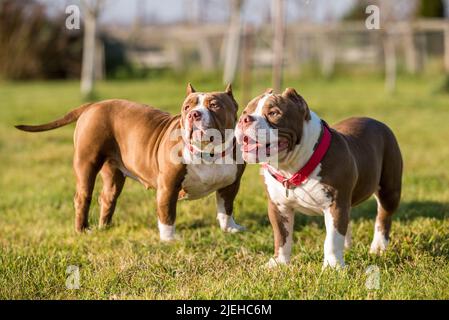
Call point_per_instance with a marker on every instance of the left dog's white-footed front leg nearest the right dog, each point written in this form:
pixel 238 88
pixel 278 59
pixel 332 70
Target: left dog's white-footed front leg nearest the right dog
pixel 225 207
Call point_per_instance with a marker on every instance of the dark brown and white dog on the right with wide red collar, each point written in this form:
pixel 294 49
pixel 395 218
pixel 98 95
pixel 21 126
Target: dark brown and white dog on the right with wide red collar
pixel 321 170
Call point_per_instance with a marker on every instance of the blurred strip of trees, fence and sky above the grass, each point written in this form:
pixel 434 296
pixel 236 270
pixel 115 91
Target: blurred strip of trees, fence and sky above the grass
pixel 234 40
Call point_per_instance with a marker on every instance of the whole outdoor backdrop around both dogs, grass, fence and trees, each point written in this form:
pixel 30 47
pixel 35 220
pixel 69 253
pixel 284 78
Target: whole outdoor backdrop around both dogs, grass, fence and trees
pixel 147 51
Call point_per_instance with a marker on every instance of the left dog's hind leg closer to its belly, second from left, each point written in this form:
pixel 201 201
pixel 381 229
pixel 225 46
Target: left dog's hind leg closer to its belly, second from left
pixel 113 181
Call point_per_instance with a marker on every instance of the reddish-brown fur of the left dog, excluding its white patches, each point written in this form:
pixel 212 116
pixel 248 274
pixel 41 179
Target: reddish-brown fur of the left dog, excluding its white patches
pixel 113 136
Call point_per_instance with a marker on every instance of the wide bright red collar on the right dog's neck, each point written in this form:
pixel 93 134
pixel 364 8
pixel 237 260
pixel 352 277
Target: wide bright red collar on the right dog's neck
pixel 299 177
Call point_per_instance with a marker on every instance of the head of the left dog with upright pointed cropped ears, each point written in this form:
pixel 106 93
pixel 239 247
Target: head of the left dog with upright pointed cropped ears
pixel 204 115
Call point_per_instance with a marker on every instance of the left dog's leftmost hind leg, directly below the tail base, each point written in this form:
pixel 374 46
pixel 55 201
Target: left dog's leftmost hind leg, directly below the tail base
pixel 85 172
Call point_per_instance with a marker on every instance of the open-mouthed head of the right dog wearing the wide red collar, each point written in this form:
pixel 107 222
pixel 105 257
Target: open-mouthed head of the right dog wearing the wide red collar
pixel 272 123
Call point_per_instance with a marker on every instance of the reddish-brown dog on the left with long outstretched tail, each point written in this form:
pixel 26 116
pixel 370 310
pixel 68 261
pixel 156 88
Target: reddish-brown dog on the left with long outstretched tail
pixel 120 138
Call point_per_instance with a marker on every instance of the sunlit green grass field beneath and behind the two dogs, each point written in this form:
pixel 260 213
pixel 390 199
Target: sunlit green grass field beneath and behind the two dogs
pixel 38 243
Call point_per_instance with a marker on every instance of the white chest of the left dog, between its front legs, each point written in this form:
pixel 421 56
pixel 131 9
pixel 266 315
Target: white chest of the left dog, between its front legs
pixel 203 179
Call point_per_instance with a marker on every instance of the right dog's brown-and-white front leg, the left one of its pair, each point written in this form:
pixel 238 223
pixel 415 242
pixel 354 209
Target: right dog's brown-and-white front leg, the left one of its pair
pixel 282 221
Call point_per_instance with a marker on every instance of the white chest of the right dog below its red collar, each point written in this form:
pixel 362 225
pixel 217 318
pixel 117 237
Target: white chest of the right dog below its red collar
pixel 310 198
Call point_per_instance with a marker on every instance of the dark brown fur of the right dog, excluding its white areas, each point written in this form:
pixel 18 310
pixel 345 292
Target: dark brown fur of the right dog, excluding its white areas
pixel 363 159
